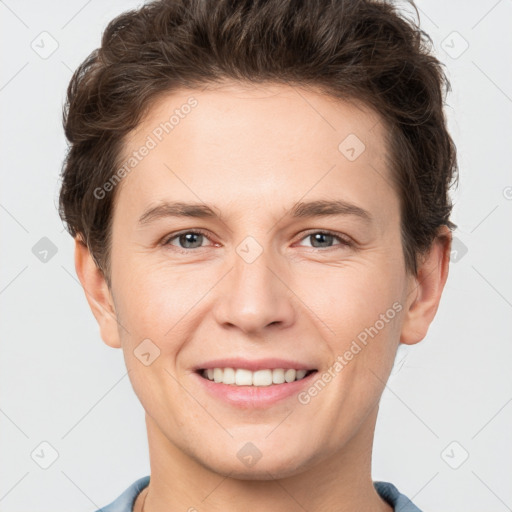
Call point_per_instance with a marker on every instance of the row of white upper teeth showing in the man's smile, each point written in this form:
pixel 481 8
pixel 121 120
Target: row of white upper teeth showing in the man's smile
pixel 243 377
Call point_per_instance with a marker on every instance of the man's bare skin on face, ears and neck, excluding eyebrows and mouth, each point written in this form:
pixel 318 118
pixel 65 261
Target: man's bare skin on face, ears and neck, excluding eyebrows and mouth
pixel 253 153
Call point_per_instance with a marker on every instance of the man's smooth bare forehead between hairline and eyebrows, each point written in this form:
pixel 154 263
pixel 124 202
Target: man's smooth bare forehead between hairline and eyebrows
pixel 255 143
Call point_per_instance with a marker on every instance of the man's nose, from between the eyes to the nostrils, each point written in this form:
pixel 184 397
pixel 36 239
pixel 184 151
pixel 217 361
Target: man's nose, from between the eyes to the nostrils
pixel 255 296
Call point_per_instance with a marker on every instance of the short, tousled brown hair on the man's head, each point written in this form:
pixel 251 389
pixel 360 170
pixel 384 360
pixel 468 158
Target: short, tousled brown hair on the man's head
pixel 349 49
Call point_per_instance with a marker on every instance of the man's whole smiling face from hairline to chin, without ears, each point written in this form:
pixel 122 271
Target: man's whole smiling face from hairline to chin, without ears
pixel 292 262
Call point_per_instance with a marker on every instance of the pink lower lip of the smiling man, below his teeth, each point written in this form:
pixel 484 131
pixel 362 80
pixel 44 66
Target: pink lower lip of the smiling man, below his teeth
pixel 255 396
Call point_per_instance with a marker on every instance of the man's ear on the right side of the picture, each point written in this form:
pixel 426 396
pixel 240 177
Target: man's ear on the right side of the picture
pixel 425 289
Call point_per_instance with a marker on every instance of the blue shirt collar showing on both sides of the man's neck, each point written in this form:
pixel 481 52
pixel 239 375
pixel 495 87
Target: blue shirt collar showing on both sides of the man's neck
pixel 387 491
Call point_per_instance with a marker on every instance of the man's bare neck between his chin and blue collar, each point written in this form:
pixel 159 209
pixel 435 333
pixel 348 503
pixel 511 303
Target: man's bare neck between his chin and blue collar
pixel 341 482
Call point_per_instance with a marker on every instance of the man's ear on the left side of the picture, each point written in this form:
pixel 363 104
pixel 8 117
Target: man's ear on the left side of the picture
pixel 97 293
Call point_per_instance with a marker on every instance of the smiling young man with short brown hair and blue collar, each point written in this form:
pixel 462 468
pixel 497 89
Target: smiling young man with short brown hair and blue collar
pixel 301 149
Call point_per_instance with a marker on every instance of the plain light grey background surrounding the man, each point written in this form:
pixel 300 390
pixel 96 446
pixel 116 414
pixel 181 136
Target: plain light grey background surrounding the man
pixel 448 398
